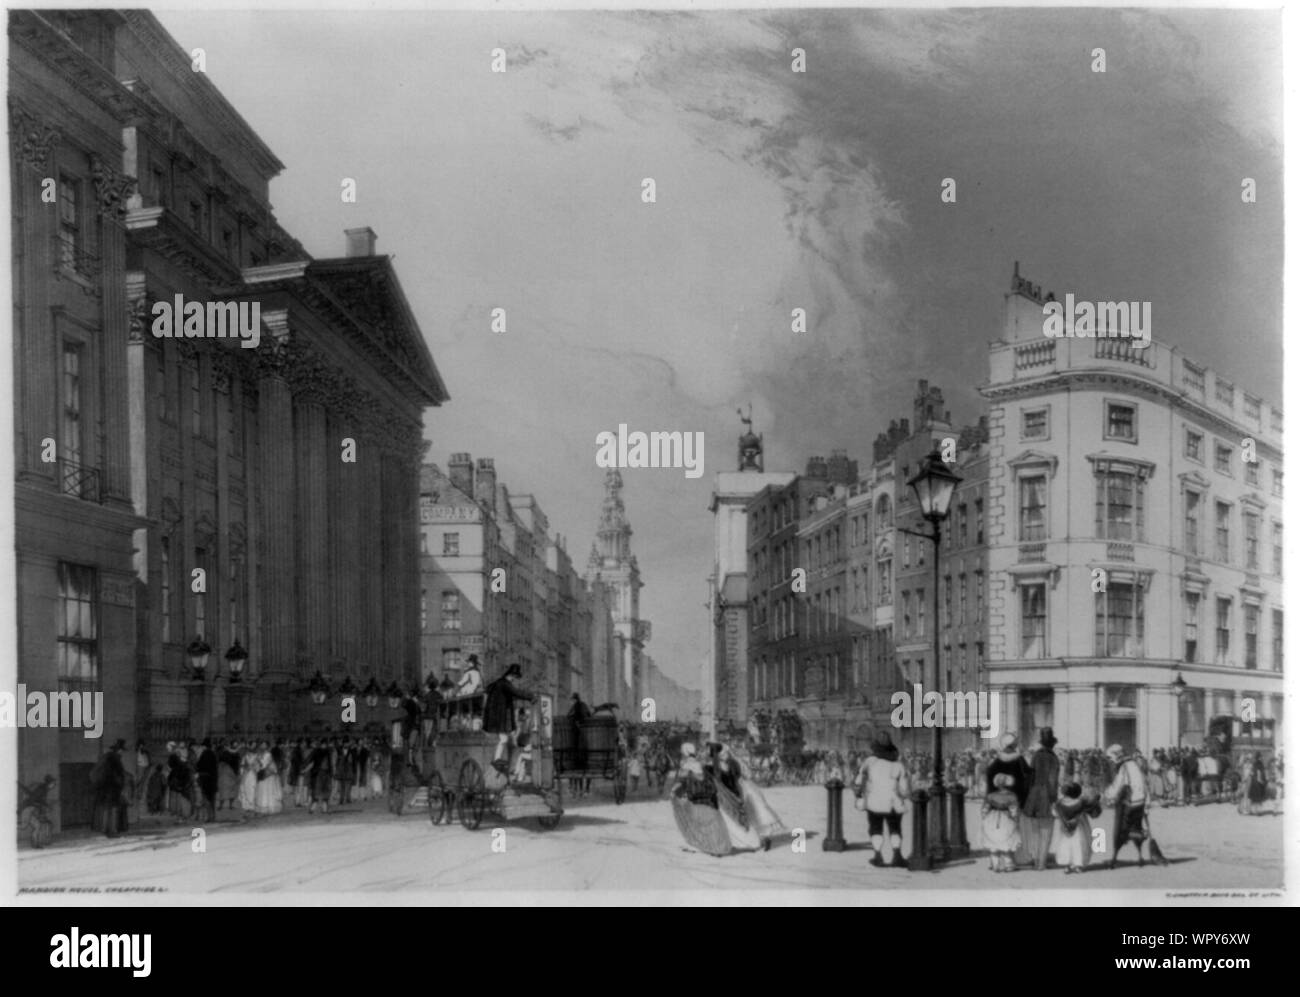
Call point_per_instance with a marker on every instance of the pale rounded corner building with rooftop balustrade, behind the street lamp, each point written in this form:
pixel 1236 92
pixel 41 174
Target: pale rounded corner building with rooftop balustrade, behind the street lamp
pixel 1136 554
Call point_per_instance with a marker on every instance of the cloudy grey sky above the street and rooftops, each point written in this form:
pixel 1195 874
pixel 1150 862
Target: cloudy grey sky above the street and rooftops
pixel 774 190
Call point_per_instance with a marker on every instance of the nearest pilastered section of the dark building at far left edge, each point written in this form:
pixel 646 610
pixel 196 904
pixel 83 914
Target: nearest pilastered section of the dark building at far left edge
pixel 75 517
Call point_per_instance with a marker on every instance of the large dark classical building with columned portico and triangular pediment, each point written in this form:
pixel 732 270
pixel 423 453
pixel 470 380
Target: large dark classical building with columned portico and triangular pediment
pixel 257 502
